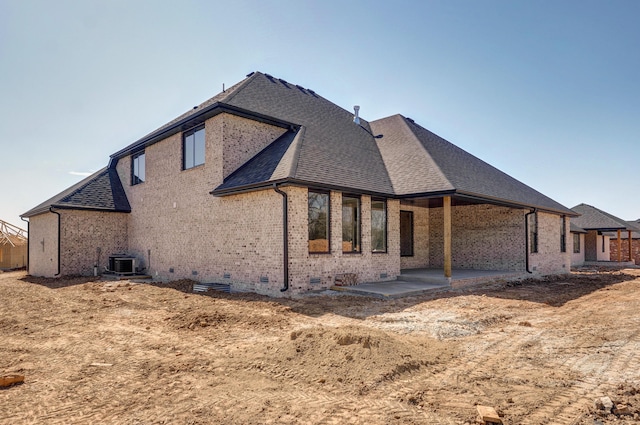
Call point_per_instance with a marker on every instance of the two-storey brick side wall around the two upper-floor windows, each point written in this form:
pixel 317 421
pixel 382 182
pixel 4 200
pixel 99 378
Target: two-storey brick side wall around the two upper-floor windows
pixel 181 231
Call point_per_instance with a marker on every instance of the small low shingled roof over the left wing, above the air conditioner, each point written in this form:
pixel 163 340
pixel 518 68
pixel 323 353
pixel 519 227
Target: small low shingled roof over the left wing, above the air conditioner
pixel 101 191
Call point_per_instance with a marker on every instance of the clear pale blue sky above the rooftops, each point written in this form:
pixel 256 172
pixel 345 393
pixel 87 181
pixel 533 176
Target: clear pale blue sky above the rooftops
pixel 547 91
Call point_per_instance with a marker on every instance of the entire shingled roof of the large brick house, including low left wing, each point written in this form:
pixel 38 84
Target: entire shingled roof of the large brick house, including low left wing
pixel 323 147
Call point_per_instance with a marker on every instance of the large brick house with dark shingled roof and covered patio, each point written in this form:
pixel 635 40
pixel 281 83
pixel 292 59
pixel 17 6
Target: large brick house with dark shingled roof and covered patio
pixel 270 187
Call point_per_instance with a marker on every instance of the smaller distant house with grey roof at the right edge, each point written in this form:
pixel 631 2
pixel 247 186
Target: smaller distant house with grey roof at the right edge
pixel 603 231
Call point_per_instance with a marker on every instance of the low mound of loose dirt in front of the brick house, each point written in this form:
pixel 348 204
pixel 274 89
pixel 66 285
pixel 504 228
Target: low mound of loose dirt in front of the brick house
pixel 355 357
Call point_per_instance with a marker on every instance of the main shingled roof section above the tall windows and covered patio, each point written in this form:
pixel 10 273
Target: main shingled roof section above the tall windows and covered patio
pixel 331 150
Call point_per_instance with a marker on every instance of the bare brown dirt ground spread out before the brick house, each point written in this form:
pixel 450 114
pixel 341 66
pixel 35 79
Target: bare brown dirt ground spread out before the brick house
pixel 539 352
